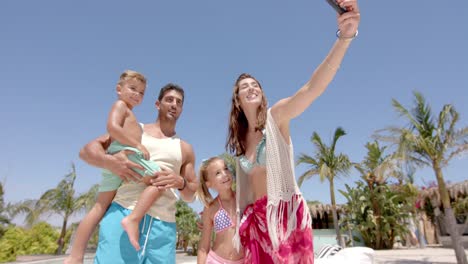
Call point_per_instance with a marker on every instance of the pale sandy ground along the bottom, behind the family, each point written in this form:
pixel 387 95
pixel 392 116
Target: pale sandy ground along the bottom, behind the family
pixel 396 256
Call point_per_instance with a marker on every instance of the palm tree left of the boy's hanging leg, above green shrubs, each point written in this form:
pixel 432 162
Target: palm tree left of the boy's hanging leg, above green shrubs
pixel 60 200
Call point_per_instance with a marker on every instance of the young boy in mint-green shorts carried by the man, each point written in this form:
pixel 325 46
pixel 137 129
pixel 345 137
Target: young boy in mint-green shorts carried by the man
pixel 125 133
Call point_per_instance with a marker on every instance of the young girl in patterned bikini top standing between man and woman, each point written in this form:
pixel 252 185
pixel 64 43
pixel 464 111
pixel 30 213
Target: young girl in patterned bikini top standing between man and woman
pixel 219 214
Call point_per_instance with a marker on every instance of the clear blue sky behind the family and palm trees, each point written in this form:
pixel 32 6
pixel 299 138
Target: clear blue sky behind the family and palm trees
pixel 60 61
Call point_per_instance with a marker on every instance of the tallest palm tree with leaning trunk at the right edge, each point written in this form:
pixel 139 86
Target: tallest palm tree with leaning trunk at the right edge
pixel 432 142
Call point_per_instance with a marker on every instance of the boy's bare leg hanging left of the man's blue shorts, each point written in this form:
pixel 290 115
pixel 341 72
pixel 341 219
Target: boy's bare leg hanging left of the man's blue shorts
pixel 87 226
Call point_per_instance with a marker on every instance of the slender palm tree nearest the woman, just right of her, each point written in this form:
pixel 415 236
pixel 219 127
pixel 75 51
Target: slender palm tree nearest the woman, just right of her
pixel 327 165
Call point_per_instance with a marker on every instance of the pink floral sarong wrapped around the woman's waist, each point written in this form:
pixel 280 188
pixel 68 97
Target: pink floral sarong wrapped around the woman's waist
pixel 253 231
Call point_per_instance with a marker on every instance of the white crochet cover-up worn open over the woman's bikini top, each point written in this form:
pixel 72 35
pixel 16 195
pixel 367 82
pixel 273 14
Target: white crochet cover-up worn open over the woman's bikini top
pixel 284 196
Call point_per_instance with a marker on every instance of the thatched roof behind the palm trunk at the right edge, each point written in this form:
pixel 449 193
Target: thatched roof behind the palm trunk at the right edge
pixel 456 191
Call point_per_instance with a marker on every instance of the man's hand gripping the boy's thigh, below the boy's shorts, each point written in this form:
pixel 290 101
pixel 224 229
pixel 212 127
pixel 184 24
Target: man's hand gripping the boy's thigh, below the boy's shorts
pixel 122 167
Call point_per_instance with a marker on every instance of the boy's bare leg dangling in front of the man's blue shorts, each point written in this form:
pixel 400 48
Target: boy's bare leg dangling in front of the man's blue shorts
pixel 130 222
